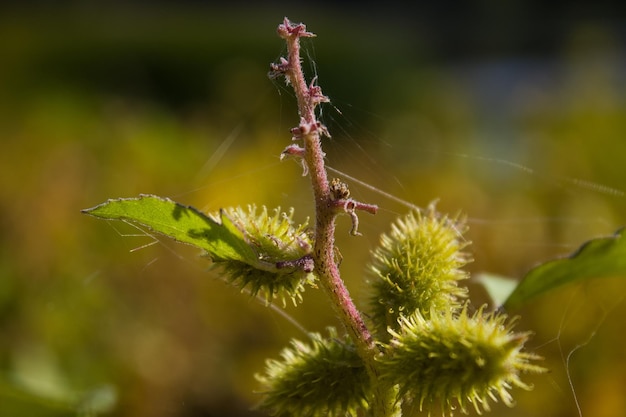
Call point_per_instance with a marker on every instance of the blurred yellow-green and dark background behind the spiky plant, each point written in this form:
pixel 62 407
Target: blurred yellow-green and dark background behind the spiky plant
pixel 513 114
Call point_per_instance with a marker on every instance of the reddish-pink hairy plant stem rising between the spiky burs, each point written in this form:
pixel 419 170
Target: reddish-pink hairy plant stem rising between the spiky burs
pixel 383 404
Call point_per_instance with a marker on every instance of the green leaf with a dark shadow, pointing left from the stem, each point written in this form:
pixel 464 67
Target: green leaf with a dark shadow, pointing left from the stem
pixel 223 241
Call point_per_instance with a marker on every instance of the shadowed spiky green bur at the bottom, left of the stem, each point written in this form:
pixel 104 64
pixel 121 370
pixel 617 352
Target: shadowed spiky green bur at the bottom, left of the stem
pixel 325 377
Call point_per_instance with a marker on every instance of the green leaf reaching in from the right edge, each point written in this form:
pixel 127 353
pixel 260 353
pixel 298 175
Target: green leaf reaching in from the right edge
pixel 602 257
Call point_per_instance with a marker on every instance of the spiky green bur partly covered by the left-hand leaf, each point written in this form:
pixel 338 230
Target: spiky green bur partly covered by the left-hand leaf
pixel 279 265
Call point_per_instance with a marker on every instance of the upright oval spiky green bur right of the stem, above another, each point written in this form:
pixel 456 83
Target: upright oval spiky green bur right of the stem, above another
pixel 417 267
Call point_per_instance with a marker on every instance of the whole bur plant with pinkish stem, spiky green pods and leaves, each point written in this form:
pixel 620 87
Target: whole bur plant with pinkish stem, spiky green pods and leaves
pixel 426 347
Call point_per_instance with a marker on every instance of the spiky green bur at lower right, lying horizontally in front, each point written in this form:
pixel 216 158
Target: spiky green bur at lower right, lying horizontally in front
pixel 457 360
